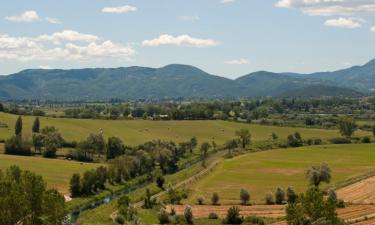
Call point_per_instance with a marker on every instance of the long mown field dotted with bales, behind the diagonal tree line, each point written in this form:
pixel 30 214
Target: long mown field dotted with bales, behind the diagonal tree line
pixel 138 131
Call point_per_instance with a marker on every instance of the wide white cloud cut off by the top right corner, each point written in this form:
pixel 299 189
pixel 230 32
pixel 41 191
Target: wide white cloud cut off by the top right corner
pixel 330 7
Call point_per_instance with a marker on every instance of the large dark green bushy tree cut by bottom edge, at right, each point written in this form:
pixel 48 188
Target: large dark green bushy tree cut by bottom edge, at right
pixel 312 208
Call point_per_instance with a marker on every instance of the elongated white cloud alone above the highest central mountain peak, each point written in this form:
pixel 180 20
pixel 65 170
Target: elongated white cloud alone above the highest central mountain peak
pixel 182 40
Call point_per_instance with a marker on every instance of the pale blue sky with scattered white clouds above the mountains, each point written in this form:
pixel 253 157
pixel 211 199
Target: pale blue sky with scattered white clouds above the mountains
pixel 229 38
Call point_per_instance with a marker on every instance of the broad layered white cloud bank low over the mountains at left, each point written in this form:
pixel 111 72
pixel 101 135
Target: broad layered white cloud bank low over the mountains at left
pixel 46 49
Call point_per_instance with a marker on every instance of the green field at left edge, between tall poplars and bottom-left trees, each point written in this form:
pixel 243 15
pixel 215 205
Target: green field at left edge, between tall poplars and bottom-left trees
pixel 55 172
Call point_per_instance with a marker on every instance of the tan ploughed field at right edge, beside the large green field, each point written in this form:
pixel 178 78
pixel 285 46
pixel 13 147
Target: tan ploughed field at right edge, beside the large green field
pixel 362 192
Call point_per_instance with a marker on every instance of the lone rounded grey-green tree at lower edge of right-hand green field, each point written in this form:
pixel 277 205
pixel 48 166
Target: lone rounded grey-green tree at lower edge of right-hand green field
pixel 319 174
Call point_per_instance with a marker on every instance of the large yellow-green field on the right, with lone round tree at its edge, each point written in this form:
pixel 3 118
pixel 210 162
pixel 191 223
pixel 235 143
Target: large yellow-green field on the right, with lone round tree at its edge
pixel 263 172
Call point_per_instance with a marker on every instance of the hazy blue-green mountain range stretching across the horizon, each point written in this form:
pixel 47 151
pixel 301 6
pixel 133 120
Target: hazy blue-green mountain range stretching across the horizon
pixel 180 81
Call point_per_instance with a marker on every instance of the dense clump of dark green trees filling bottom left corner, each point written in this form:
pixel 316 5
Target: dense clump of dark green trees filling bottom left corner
pixel 24 199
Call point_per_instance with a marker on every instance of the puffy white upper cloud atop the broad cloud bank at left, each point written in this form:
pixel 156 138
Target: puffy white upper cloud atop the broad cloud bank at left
pixel 68 35
